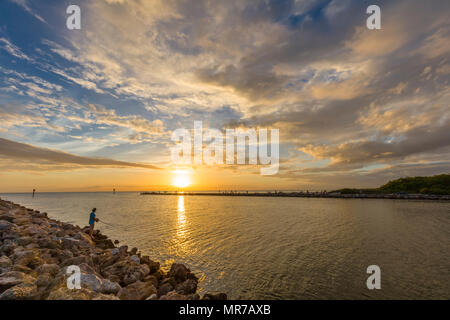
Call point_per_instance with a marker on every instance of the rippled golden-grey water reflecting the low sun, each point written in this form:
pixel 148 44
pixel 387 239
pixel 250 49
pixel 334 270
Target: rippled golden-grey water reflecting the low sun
pixel 272 248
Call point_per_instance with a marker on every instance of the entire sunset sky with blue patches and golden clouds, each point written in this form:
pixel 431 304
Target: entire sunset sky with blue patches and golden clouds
pixel 94 109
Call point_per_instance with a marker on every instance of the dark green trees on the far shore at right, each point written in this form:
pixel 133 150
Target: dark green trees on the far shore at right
pixel 435 185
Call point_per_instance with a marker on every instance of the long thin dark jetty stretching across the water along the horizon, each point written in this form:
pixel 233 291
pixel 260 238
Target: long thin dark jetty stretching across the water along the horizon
pixel 282 194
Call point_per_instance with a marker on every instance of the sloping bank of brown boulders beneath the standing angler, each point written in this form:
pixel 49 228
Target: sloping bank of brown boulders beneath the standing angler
pixel 36 251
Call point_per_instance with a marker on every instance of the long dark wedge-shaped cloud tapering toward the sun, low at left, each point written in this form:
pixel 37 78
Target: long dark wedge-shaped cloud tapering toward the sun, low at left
pixel 11 150
